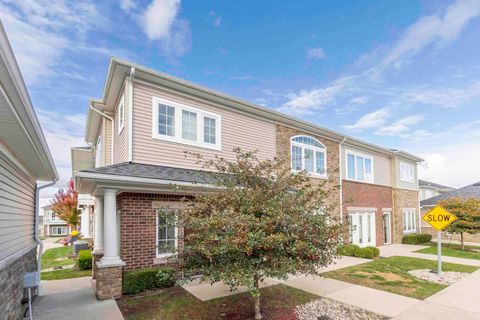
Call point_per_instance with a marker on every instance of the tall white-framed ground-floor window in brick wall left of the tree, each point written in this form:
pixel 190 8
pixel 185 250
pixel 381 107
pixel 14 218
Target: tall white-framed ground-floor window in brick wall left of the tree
pixel 166 232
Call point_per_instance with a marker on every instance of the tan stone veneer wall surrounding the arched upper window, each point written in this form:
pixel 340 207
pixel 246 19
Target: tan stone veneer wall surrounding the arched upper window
pixel 284 152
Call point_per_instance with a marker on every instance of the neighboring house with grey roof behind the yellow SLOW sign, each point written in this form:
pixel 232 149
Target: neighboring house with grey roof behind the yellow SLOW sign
pixel 470 191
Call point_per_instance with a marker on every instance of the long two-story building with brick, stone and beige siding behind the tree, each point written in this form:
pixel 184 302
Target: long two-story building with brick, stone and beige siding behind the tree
pixel 145 120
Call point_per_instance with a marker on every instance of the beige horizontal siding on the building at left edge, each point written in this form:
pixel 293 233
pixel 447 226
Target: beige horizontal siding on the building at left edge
pixel 17 208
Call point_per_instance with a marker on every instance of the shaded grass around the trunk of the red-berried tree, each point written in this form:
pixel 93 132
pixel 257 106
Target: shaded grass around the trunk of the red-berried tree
pixel 277 302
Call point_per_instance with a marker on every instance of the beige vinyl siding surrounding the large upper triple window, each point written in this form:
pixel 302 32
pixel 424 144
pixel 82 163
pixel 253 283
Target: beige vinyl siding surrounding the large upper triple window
pixel 237 130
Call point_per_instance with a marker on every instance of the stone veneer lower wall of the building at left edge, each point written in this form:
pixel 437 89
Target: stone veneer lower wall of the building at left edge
pixel 11 285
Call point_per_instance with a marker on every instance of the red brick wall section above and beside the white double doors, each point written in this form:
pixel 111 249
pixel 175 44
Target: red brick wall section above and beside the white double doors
pixel 358 194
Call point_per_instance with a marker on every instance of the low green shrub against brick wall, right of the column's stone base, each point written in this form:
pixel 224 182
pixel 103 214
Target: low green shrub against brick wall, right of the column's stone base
pixel 147 279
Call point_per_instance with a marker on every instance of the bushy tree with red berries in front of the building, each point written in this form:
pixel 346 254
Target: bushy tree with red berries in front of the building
pixel 262 221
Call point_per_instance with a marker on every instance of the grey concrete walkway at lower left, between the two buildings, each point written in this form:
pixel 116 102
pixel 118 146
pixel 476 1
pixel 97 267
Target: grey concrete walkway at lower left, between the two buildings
pixel 73 299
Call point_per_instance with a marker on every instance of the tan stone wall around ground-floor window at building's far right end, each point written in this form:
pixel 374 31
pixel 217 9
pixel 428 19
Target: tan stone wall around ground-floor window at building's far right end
pixel 403 198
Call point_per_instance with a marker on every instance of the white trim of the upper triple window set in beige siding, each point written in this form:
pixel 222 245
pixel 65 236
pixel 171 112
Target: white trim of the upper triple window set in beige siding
pixel 177 138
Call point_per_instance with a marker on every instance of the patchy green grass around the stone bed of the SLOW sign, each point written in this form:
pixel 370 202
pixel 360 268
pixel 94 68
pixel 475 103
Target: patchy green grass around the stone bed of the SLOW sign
pixel 391 274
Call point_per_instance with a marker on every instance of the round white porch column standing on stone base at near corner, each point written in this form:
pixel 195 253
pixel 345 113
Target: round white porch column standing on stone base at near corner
pixel 111 256
